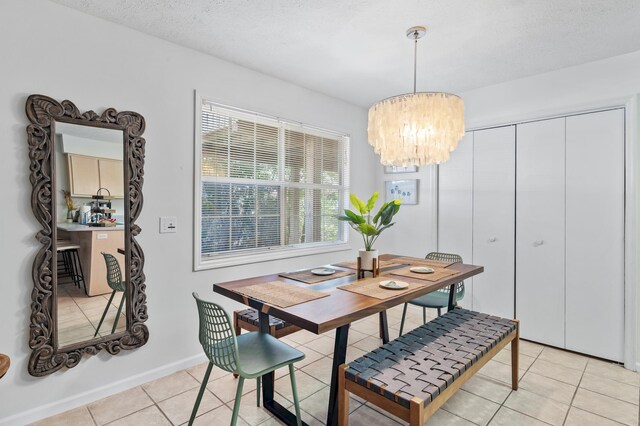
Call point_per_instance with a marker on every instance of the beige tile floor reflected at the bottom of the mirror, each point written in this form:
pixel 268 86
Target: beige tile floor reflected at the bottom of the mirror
pixel 79 314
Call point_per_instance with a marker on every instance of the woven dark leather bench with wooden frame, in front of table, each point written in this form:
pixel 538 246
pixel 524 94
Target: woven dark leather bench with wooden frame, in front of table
pixel 413 375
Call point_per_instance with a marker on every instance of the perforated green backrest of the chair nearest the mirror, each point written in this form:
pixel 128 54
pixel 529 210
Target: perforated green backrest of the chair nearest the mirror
pixel 217 337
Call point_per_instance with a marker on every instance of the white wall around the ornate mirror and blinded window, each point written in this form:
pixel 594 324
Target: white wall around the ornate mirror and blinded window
pixel 59 52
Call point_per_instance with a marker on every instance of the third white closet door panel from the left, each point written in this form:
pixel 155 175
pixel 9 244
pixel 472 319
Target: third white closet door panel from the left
pixel 540 231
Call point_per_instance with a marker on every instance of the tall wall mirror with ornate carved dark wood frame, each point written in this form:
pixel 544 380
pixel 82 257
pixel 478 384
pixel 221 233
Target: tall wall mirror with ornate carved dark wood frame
pixel 87 174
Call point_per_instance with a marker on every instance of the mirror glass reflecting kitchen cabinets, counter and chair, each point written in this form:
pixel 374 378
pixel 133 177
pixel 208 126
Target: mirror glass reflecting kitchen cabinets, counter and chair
pixel 91 232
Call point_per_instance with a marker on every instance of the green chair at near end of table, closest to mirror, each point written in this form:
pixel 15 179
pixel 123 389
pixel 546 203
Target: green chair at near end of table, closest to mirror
pixel 250 355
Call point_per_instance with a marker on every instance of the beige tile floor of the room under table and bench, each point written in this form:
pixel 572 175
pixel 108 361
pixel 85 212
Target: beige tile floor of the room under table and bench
pixel 556 388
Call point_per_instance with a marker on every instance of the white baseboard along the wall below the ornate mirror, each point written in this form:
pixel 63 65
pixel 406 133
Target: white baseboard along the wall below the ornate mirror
pixel 42 412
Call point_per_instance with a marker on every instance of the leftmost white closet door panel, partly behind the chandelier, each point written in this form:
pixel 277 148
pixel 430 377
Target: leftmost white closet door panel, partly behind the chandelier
pixel 455 207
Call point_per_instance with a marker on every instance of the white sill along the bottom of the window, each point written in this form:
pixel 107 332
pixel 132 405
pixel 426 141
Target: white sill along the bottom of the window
pixel 266 256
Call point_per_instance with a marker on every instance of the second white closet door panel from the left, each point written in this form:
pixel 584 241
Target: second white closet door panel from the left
pixel 493 220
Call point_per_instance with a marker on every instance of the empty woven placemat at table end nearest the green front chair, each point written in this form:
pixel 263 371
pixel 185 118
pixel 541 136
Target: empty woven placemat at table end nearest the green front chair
pixel 281 294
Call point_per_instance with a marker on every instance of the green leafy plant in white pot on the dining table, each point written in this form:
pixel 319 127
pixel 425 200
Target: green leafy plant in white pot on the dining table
pixel 370 228
